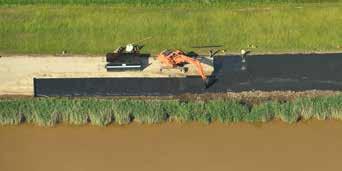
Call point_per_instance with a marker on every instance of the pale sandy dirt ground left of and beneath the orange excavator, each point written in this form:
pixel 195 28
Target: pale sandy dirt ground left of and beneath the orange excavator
pixel 17 72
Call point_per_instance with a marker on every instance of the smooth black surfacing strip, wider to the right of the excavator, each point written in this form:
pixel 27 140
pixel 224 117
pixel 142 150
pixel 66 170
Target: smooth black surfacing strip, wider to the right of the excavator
pixel 296 72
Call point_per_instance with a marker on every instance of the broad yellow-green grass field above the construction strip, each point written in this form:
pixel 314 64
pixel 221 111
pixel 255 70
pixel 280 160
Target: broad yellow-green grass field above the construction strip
pixel 97 29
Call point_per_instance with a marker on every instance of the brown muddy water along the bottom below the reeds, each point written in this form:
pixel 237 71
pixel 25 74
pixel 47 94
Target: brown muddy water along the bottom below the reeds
pixel 316 145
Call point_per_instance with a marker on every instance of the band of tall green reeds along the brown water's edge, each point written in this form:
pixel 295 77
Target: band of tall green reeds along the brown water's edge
pixel 101 112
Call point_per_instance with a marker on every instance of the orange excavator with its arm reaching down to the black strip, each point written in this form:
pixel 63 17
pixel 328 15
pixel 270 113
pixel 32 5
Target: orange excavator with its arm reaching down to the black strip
pixel 177 59
